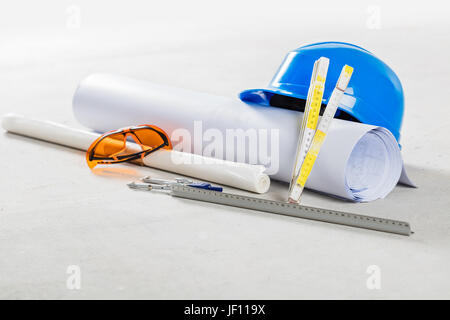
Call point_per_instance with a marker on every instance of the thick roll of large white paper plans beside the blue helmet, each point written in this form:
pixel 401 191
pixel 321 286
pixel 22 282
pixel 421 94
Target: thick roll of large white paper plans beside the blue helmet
pixel 357 161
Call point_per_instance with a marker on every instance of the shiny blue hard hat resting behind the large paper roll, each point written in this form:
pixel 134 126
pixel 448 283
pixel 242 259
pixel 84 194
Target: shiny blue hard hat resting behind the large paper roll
pixel 373 96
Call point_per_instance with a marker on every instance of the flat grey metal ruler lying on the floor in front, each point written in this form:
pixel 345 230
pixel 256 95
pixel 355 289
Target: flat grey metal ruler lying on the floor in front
pixel 294 210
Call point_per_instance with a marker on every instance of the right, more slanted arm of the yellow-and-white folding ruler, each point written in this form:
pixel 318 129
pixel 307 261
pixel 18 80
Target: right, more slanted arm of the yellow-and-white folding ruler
pixel 319 136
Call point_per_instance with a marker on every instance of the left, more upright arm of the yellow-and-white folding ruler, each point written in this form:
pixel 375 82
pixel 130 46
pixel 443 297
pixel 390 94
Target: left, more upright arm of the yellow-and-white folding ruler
pixel 310 115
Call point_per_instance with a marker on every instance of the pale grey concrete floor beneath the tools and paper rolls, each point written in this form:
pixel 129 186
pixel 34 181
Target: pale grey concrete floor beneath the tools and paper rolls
pixel 54 213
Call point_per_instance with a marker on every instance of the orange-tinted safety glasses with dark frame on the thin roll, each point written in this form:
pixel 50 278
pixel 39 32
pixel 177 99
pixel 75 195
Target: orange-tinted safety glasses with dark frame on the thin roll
pixel 111 147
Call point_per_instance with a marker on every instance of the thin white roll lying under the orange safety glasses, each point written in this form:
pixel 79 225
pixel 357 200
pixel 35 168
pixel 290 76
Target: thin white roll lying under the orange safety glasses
pixel 238 175
